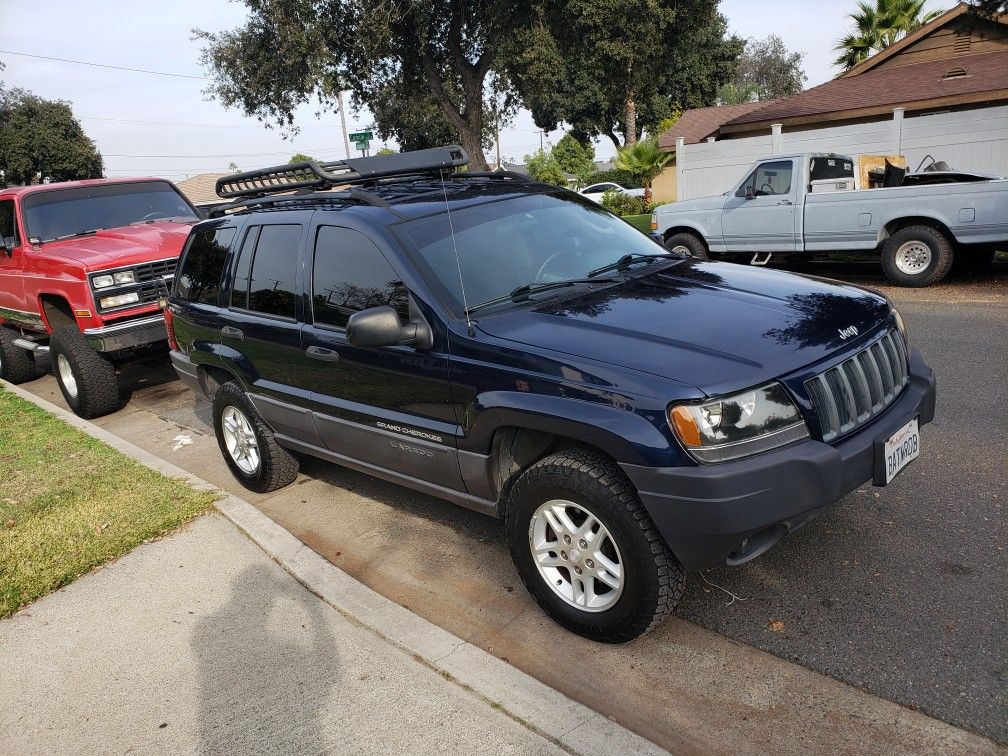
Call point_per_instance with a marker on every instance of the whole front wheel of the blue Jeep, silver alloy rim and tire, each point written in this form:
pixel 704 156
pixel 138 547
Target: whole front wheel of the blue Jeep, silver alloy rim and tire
pixel 587 550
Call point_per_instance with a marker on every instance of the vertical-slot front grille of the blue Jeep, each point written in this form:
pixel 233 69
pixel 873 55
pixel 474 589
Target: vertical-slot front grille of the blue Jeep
pixel 850 395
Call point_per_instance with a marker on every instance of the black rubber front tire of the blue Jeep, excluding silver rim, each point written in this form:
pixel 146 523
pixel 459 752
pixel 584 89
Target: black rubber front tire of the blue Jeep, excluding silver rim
pixel 653 577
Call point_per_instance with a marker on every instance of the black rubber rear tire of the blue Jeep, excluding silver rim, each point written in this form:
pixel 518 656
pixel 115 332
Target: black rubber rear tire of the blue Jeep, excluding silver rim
pixel 277 467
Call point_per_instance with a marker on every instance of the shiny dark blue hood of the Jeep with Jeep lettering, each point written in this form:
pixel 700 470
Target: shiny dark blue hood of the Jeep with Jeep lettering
pixel 718 327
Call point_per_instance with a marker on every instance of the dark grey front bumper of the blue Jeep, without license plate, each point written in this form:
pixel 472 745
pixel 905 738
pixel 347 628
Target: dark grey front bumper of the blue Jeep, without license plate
pixel 729 514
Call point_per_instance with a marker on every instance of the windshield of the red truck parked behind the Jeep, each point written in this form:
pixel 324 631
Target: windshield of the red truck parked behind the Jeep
pixel 66 213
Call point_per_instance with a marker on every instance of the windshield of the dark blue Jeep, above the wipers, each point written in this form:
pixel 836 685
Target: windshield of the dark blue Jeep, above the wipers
pixel 515 245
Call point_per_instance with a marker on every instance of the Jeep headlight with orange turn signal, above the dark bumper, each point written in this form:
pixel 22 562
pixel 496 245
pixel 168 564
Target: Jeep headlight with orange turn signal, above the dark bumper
pixel 738 426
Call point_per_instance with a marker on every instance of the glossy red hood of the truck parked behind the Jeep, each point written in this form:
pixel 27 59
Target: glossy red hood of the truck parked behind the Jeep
pixel 131 245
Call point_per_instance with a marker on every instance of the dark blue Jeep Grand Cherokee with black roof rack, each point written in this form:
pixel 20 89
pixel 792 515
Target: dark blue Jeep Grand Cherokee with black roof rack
pixel 516 349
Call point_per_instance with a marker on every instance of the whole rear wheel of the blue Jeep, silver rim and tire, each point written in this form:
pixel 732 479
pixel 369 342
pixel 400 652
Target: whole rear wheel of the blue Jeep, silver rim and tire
pixel 248 446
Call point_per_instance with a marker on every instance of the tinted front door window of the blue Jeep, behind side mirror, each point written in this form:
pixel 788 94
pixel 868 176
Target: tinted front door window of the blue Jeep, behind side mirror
pixel 352 275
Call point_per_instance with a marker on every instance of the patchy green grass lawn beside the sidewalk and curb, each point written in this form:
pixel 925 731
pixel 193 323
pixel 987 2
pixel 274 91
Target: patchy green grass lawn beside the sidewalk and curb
pixel 70 503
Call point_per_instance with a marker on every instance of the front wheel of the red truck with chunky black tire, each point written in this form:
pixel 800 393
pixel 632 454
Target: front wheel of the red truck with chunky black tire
pixel 95 389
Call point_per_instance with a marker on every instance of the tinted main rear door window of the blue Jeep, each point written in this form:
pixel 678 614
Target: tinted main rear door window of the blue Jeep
pixel 275 269
